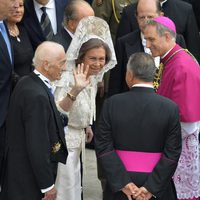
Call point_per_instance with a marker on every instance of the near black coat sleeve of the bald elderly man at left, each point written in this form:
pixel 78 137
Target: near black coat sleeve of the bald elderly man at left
pixel 36 119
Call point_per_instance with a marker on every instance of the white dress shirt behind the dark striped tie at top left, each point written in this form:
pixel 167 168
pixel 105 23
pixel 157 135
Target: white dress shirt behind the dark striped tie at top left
pixel 51 11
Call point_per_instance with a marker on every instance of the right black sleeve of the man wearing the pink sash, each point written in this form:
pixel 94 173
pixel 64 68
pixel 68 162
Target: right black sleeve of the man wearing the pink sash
pixel 166 166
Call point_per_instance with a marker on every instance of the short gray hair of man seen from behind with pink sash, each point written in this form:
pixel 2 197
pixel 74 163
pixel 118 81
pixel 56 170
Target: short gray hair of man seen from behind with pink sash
pixel 143 66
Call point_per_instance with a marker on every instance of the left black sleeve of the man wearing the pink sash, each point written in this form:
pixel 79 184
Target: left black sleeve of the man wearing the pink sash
pixel 117 176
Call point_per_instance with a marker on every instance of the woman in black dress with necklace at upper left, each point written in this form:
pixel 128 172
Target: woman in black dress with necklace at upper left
pixel 23 51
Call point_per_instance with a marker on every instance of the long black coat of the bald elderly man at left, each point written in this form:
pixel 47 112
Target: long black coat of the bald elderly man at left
pixel 33 128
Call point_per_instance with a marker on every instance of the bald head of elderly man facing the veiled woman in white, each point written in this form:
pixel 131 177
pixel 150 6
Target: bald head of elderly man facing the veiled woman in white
pixel 49 60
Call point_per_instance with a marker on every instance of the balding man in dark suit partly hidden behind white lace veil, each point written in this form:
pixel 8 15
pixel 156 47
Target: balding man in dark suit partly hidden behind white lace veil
pixel 74 12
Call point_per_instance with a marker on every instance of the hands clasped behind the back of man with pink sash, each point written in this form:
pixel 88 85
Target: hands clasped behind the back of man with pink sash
pixel 133 192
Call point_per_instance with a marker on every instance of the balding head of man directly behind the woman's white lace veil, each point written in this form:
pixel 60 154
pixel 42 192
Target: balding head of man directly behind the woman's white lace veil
pixel 74 12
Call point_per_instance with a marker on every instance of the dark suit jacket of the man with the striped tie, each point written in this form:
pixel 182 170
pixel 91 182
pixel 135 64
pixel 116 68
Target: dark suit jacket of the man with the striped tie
pixel 32 23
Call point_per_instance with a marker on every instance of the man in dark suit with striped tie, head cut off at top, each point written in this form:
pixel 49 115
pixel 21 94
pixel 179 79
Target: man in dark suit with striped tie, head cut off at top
pixel 39 13
